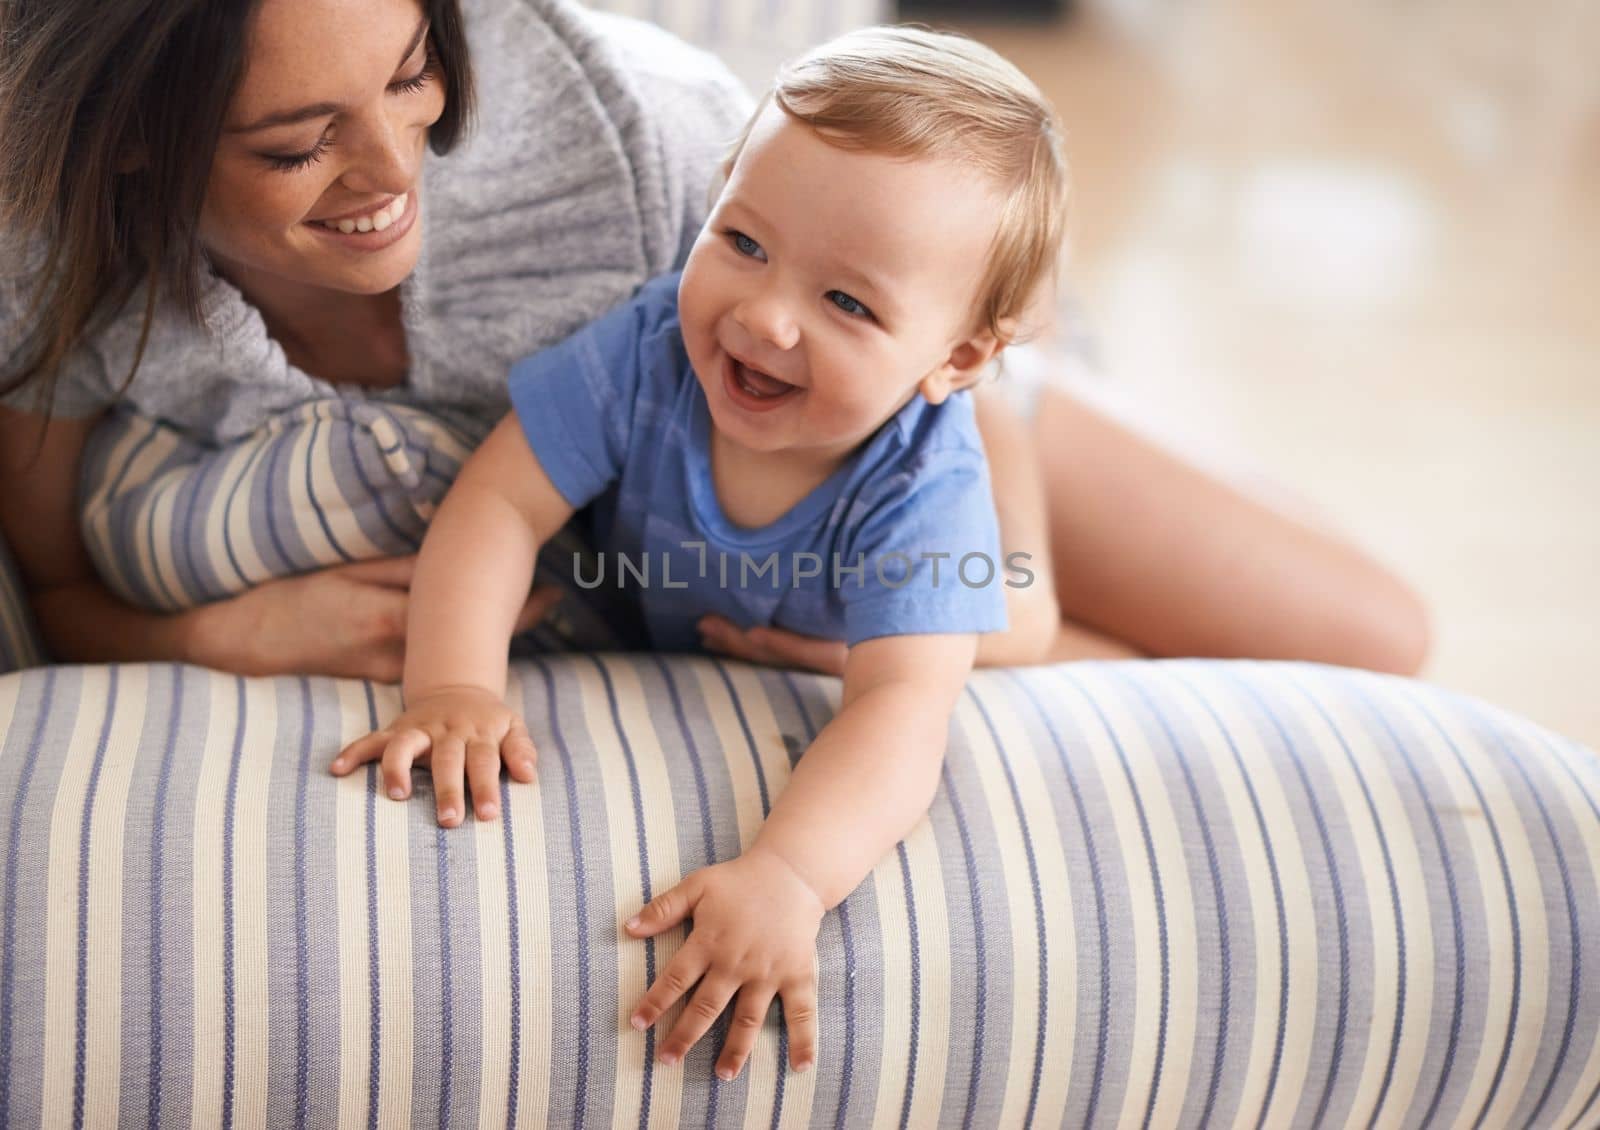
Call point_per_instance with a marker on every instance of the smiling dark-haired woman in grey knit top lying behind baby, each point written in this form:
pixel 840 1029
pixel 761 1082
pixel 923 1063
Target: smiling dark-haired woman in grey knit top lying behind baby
pixel 231 204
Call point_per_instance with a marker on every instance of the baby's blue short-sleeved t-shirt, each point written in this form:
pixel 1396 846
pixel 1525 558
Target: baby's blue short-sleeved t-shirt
pixel 900 540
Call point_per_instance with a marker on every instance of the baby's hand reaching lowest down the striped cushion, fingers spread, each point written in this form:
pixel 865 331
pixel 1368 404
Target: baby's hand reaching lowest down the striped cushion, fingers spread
pixel 754 936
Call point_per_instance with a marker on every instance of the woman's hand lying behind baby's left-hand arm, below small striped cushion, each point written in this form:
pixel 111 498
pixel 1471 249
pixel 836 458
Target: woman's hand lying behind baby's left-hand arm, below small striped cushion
pixel 346 622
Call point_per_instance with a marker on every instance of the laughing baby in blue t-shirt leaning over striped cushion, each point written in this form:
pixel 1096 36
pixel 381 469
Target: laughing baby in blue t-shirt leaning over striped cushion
pixel 788 404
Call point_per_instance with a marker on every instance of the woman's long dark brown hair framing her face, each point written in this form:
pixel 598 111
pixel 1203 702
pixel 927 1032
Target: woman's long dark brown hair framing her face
pixel 110 116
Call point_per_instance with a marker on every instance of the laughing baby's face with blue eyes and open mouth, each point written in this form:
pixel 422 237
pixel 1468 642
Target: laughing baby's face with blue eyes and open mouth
pixel 830 287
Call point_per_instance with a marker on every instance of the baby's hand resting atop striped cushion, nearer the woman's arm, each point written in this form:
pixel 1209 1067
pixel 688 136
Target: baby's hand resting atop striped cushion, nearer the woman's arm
pixel 454 729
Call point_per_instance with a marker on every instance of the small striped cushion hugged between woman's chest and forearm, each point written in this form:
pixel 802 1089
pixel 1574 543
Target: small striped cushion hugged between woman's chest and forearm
pixel 172 523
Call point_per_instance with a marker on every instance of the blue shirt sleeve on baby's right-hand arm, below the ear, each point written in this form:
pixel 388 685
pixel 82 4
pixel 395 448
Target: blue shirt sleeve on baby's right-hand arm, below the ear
pixel 929 547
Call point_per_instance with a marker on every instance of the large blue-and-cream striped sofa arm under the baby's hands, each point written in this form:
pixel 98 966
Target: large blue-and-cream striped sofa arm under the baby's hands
pixel 1150 894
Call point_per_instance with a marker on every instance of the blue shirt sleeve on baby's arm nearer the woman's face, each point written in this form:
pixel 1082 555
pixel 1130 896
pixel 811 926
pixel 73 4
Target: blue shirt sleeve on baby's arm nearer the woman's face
pixel 577 401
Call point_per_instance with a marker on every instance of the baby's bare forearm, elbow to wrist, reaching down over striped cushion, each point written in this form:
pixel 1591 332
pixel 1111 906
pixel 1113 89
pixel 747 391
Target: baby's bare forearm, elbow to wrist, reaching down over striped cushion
pixel 860 790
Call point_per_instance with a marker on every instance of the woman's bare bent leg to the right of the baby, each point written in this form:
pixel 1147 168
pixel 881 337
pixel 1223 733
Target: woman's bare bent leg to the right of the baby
pixel 1151 553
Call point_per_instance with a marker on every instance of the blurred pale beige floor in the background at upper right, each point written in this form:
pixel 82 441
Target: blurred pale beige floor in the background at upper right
pixel 1358 247
